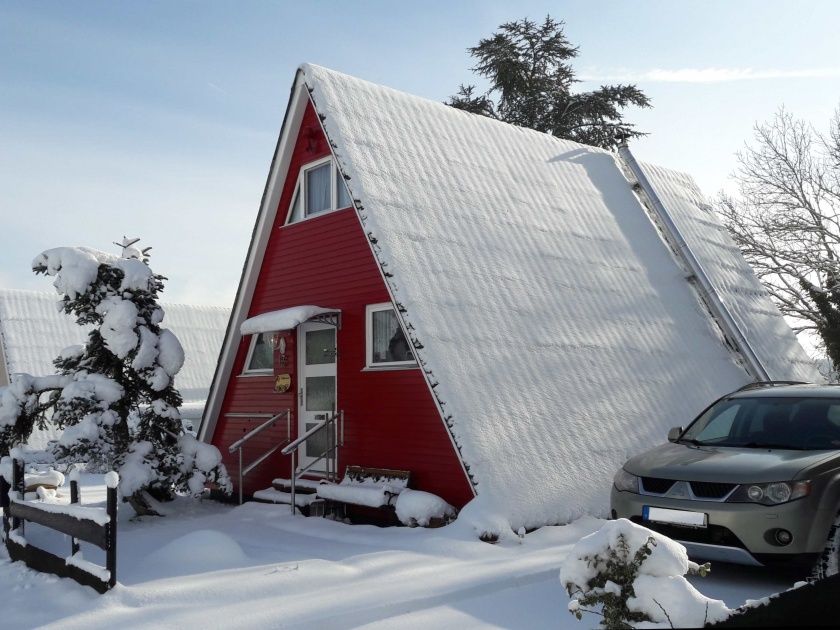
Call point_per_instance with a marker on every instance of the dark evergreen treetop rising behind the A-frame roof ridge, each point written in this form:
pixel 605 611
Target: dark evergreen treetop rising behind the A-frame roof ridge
pixel 531 80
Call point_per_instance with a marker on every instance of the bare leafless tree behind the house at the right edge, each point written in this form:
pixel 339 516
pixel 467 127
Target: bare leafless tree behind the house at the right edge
pixel 786 217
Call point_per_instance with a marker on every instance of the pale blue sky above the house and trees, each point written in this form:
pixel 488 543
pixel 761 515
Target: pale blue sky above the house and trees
pixel 158 119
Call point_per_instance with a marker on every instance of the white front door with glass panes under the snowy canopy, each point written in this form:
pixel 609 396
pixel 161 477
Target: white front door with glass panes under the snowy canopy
pixel 316 400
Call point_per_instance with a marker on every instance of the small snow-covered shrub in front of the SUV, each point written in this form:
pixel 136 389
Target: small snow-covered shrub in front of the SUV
pixel 636 575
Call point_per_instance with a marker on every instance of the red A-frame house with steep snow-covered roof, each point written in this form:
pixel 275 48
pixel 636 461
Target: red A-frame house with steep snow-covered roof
pixel 500 312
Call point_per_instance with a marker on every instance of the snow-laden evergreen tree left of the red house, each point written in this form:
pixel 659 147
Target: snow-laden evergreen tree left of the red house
pixel 115 397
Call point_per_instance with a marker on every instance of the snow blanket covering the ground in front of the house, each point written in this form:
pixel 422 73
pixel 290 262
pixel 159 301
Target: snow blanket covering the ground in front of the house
pixel 216 566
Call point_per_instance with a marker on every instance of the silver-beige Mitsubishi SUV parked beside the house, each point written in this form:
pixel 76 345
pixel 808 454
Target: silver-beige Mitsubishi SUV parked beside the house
pixel 754 479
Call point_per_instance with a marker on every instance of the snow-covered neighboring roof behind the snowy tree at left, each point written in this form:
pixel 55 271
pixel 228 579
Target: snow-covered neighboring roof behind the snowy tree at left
pixel 33 332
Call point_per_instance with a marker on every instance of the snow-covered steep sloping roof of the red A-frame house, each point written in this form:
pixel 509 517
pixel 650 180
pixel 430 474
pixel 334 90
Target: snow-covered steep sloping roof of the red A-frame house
pixel 559 330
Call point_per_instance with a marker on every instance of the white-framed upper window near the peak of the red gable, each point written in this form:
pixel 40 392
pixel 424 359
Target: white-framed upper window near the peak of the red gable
pixel 320 188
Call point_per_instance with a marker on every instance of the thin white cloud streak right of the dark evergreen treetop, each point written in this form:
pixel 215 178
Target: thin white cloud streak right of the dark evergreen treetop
pixel 706 75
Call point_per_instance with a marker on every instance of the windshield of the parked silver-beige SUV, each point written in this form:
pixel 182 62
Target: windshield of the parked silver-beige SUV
pixel 783 423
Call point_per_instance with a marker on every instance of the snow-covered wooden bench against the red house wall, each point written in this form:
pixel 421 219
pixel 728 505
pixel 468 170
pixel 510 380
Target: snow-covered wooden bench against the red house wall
pixel 368 487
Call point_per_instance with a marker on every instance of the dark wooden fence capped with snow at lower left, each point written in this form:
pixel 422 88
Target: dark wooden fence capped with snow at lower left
pixel 93 525
